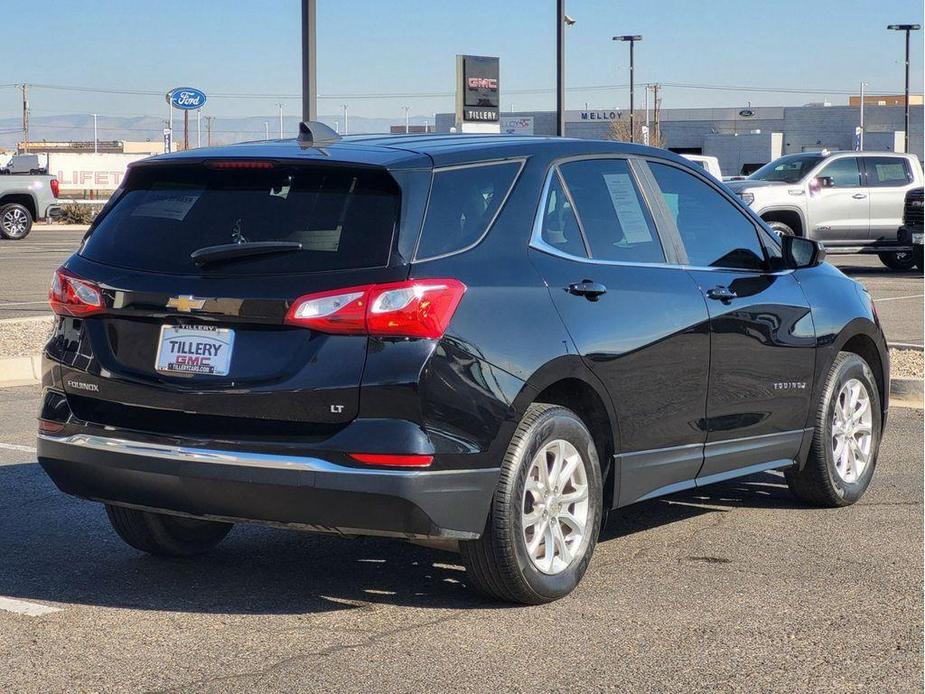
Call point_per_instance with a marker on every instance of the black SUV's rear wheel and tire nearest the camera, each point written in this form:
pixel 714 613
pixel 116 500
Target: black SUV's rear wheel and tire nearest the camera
pixel 499 563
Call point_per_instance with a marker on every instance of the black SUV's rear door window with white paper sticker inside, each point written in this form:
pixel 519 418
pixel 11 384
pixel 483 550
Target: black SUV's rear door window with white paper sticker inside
pixel 613 215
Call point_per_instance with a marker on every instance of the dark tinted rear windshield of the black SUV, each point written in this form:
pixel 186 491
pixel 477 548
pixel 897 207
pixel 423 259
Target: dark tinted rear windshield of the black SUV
pixel 343 218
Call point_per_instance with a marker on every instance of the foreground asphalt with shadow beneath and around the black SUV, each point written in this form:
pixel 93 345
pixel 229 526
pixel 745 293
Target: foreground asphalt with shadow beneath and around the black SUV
pixel 736 587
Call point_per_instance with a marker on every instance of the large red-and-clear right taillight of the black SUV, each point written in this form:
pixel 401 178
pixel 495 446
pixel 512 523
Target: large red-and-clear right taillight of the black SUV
pixel 415 308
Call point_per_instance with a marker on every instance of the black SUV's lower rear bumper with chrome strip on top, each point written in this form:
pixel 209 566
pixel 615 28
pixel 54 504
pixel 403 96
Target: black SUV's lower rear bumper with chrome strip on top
pixel 294 491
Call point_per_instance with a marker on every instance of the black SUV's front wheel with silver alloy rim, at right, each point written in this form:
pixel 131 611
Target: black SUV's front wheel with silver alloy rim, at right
pixel 821 482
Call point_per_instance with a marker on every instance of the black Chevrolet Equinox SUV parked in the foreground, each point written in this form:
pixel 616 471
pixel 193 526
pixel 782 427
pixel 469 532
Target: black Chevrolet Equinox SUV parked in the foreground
pixel 488 340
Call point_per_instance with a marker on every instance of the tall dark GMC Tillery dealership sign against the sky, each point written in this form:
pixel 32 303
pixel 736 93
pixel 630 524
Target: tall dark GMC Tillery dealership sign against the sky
pixel 478 93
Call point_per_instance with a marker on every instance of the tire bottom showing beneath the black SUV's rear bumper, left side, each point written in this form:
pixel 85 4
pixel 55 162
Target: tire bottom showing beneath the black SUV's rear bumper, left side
pixel 163 535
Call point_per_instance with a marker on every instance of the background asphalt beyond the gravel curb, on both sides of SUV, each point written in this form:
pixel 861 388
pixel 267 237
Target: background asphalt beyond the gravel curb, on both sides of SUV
pixel 26 267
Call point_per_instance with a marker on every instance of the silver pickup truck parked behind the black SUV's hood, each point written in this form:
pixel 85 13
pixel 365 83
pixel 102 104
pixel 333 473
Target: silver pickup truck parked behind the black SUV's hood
pixel 851 201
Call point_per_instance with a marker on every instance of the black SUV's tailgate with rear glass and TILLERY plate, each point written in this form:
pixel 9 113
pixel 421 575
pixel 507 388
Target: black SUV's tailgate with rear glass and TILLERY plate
pixel 180 339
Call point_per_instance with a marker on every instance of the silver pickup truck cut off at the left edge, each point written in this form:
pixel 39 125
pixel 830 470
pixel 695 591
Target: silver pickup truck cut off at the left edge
pixel 25 198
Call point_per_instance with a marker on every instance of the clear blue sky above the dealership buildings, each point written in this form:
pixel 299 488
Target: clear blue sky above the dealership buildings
pixel 408 47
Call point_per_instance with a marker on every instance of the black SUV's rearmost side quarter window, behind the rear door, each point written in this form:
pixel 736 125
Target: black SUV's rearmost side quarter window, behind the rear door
pixel 464 201
